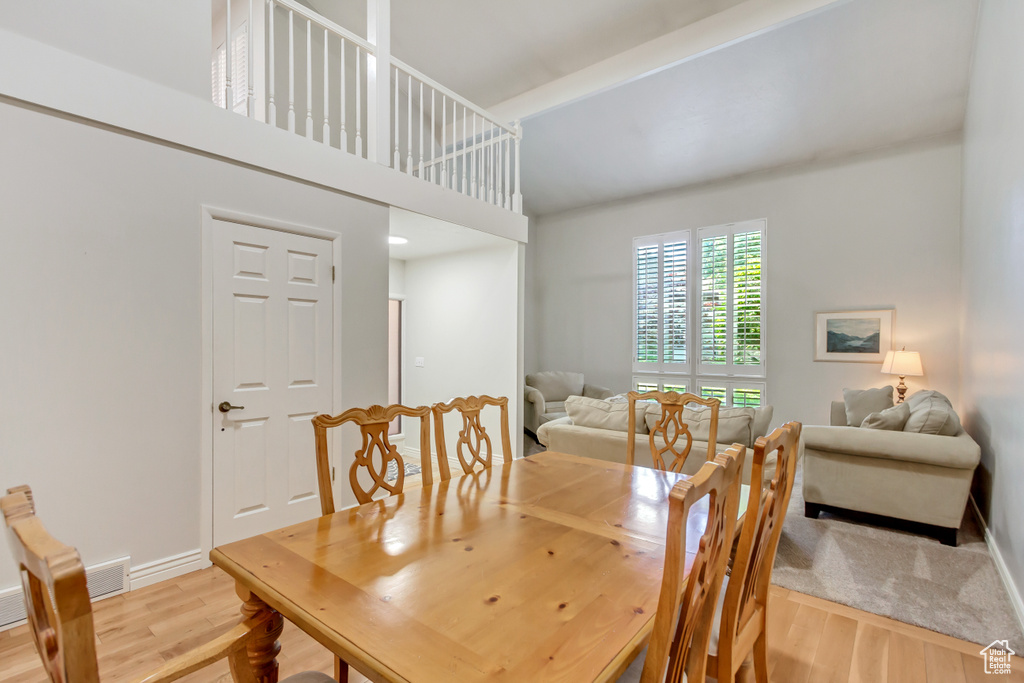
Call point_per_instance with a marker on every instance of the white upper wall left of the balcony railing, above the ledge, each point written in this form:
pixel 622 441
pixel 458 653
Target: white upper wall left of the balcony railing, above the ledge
pixel 165 42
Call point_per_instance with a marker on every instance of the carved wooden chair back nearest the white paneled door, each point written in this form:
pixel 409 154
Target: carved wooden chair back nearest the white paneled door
pixel 374 456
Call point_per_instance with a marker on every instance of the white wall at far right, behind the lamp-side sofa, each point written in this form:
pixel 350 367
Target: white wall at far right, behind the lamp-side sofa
pixel 994 277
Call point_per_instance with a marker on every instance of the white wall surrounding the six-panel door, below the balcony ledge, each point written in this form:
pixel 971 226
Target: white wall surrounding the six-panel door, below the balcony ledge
pixel 101 270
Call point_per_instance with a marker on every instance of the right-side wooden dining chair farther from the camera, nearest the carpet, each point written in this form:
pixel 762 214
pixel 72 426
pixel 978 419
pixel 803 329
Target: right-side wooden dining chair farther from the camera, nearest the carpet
pixel 743 628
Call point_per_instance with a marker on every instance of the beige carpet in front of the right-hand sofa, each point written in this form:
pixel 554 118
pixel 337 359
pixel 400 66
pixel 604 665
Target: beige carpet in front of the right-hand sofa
pixel 910 578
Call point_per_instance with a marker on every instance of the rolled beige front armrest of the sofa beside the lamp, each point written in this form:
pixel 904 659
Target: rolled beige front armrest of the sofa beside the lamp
pixel 959 452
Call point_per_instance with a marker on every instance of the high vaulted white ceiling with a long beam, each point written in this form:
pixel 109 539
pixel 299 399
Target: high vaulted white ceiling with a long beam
pixel 852 76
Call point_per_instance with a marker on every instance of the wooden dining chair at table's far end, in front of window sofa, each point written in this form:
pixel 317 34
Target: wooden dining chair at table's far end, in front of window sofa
pixel 670 428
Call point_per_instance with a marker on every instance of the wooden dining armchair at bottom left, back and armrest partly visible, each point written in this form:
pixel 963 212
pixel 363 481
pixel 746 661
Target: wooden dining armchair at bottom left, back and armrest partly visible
pixel 57 601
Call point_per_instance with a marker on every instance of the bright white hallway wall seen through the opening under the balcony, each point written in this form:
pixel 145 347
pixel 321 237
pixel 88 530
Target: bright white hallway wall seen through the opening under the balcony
pixel 461 317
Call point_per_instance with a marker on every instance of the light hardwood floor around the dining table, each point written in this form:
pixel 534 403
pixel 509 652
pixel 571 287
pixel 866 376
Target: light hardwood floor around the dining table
pixel 810 641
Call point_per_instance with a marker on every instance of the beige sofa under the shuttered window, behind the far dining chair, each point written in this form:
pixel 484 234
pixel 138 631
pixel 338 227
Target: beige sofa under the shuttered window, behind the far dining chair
pixel 609 442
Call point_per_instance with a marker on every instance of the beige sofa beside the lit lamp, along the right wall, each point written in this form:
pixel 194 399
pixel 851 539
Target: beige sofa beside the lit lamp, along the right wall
pixel 919 478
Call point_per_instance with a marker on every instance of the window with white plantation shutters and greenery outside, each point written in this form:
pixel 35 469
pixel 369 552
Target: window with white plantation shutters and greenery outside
pixel 714 347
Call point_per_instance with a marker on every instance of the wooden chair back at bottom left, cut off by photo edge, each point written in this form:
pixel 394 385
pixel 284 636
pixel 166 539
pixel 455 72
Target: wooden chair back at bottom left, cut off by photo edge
pixel 62 626
